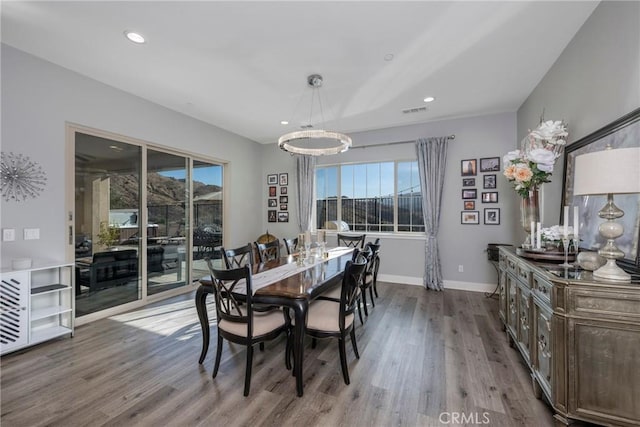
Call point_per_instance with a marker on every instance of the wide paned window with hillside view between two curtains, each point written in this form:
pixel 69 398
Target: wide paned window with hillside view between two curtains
pixel 383 197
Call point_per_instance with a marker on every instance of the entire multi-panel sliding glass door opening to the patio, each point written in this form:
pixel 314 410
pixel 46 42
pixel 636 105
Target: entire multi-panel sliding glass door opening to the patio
pixel 133 244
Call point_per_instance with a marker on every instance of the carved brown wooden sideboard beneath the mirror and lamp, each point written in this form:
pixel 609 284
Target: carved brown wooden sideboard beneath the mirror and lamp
pixel 580 338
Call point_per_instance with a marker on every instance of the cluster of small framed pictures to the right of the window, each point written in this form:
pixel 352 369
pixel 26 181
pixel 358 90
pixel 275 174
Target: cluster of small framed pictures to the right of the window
pixel 480 179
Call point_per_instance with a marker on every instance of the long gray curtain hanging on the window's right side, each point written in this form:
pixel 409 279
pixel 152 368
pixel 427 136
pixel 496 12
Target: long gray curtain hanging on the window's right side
pixel 432 160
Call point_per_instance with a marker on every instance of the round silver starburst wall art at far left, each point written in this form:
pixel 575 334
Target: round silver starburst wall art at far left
pixel 21 177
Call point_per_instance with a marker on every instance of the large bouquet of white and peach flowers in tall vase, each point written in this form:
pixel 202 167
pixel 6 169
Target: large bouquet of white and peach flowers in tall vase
pixel 533 164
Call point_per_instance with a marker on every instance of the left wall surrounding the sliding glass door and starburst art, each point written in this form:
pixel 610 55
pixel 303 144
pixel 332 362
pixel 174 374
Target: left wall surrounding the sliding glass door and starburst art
pixel 38 98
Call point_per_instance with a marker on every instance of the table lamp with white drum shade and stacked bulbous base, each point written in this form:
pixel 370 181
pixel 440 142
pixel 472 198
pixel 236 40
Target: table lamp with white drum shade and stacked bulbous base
pixel 611 171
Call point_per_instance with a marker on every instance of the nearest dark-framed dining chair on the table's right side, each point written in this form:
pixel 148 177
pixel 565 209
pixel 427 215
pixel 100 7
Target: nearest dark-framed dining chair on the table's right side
pixel 328 318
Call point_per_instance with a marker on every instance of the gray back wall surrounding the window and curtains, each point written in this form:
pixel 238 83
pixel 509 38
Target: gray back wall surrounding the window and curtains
pixel 403 256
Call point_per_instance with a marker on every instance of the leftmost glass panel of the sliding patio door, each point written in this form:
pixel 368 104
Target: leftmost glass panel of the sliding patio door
pixel 107 207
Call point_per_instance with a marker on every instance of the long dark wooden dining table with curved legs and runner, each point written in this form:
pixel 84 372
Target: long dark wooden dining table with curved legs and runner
pixel 289 282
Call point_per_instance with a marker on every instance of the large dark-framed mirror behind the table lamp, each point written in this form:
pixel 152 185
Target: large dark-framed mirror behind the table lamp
pixel 622 133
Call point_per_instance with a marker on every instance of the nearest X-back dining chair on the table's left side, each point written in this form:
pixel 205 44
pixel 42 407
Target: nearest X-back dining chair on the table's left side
pixel 237 320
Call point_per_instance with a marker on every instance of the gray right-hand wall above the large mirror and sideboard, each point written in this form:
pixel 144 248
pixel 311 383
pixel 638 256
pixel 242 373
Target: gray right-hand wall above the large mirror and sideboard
pixel 595 81
